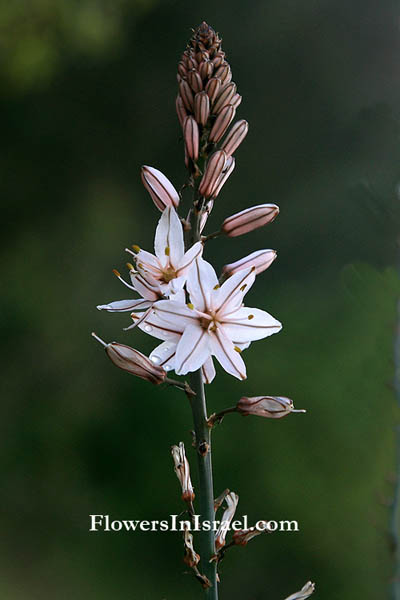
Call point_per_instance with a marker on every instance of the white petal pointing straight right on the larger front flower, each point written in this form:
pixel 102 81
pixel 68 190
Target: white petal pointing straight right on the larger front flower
pixel 249 324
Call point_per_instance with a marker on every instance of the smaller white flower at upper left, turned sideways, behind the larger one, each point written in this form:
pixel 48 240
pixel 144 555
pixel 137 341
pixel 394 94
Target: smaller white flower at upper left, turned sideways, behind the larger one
pixel 160 275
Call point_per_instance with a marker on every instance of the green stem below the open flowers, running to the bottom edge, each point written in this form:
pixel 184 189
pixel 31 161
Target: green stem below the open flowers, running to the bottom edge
pixel 206 489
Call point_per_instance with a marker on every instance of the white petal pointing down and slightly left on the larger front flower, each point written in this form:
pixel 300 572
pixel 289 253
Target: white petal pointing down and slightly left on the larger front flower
pixel 192 350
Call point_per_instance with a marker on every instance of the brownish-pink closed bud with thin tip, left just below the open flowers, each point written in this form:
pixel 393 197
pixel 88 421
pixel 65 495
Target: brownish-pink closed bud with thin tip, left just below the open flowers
pixel 133 362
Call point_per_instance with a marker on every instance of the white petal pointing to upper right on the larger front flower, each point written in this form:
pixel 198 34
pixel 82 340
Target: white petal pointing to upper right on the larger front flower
pixel 229 296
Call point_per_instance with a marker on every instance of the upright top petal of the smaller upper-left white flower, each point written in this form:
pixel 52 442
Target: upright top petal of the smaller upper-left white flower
pixel 168 243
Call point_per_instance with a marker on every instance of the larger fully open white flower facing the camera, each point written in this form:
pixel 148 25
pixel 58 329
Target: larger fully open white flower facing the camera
pixel 214 323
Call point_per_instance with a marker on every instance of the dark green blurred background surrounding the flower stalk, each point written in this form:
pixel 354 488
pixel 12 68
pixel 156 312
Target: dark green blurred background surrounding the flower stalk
pixel 88 91
